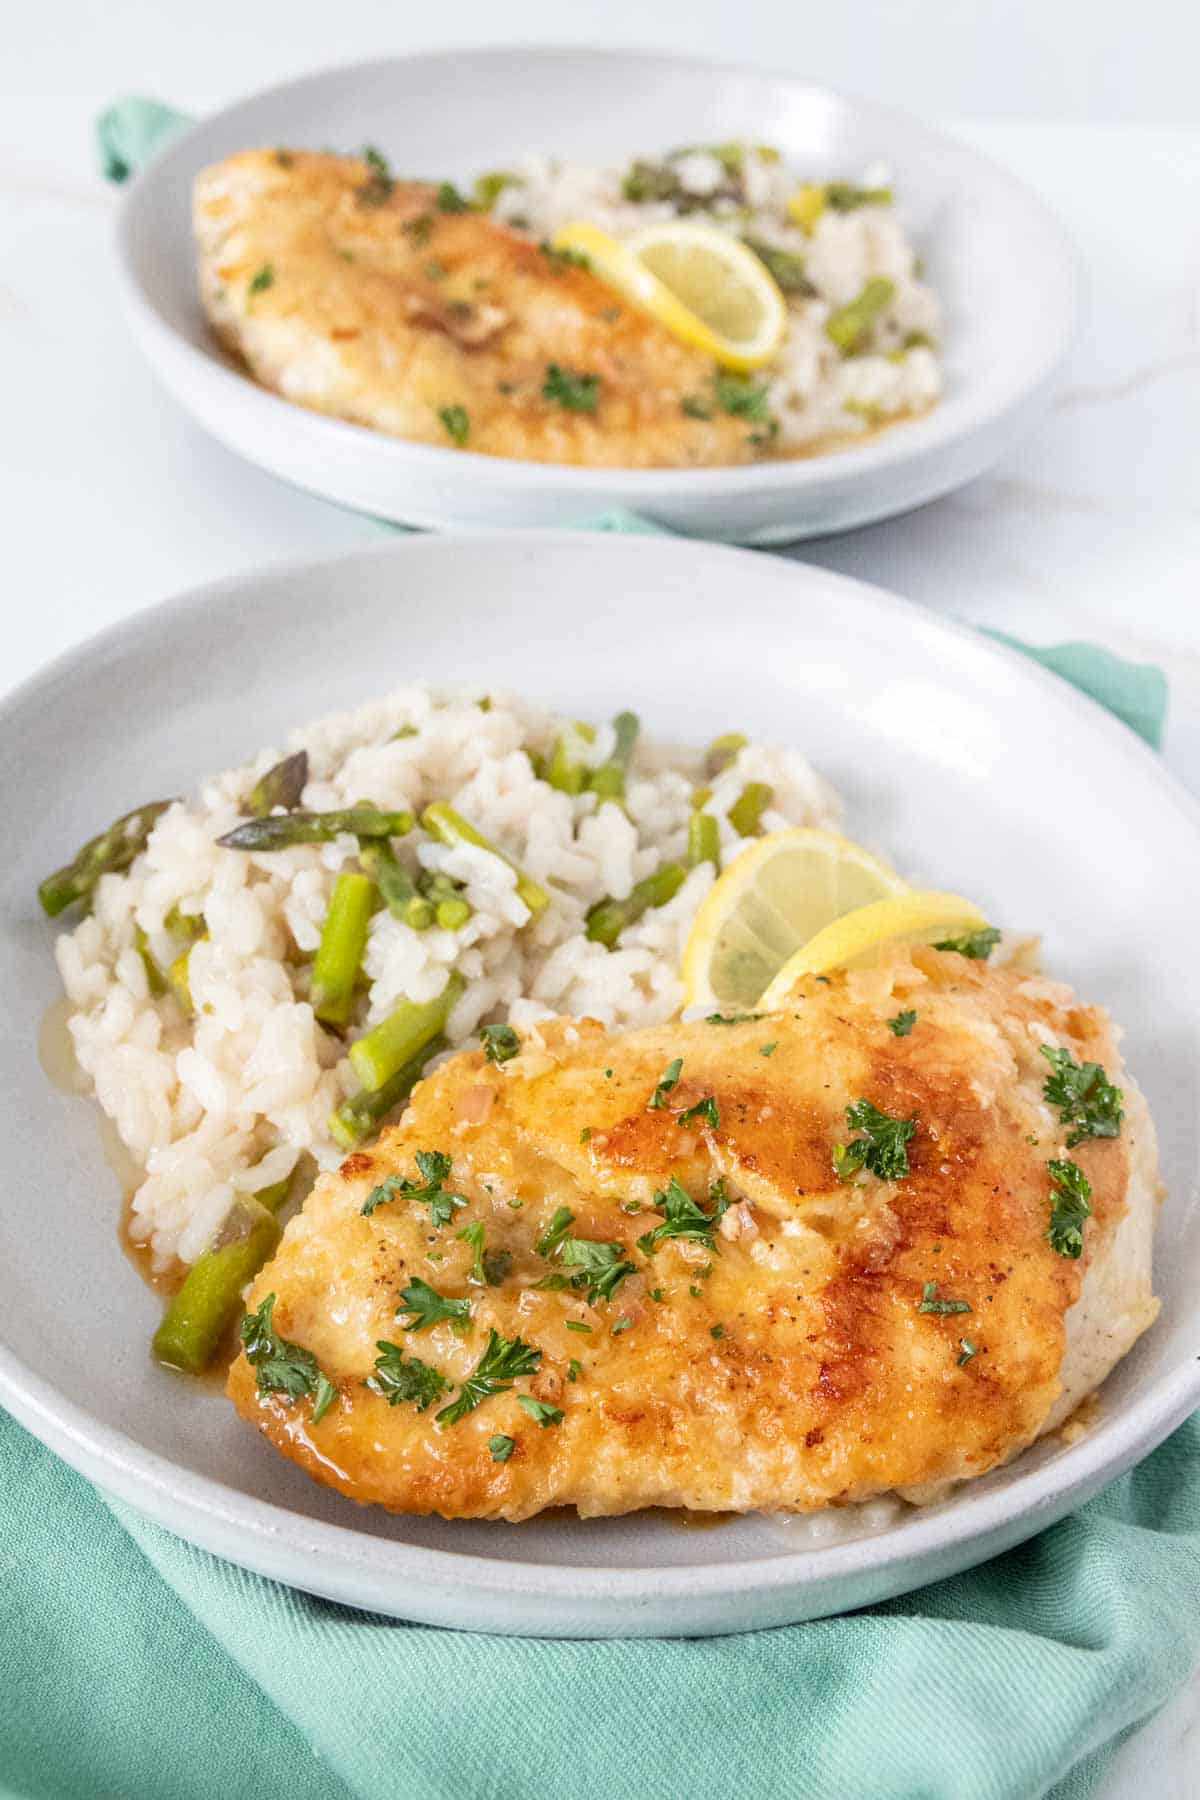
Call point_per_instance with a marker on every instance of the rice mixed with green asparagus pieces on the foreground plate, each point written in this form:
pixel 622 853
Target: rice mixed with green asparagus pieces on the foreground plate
pixel 265 969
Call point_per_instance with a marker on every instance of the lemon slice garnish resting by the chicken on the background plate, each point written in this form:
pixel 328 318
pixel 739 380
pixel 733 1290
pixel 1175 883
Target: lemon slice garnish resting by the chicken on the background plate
pixel 703 285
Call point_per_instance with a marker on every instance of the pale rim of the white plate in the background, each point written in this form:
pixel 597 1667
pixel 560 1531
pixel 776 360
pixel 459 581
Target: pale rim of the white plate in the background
pixel 909 442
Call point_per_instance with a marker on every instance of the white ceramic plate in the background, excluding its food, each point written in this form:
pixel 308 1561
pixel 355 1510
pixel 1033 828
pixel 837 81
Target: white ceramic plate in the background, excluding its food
pixel 996 256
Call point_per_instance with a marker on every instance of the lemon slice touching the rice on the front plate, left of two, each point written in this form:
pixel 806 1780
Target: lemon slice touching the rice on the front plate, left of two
pixel 780 894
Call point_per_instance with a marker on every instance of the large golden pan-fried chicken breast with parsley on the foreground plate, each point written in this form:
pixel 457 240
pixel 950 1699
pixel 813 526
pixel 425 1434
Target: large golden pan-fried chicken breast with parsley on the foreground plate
pixel 672 1270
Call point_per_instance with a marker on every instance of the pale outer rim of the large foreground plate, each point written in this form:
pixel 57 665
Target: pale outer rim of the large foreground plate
pixel 1034 1500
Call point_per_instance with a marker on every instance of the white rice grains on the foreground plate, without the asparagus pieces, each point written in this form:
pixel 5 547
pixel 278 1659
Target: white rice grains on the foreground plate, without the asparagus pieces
pixel 229 1099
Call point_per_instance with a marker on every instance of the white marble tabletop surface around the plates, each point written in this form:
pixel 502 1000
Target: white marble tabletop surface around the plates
pixel 112 498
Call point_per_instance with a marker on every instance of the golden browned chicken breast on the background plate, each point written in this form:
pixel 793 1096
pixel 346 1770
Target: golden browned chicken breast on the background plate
pixel 379 303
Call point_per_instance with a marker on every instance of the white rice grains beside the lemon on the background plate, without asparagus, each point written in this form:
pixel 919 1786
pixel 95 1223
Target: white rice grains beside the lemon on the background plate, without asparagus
pixel 814 393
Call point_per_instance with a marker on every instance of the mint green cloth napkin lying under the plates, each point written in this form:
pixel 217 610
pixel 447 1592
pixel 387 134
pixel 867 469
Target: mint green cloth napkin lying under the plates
pixel 138 1668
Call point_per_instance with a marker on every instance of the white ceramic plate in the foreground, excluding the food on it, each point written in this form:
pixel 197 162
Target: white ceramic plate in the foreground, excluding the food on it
pixel 974 768
